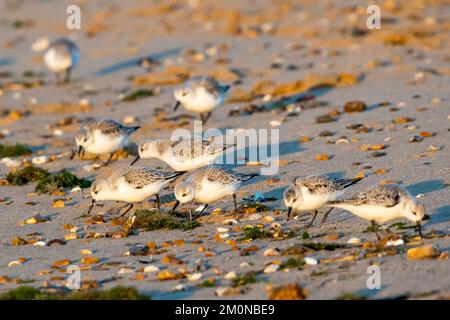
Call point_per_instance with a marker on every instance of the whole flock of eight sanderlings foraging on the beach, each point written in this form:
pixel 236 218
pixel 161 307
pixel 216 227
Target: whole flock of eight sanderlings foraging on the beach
pixel 204 182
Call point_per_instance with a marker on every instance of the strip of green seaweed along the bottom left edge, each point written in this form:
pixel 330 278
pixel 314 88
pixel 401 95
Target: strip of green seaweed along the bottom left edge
pixel 31 293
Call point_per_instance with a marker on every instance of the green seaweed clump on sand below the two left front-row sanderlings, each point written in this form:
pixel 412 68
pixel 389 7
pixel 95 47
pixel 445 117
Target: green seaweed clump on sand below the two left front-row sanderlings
pixel 156 220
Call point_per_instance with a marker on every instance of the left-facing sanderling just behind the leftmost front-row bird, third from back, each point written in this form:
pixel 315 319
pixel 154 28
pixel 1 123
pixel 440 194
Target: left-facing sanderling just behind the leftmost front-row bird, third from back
pixel 102 136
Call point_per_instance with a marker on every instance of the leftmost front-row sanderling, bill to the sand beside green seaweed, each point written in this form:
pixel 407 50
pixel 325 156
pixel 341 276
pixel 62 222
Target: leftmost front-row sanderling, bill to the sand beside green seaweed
pixel 131 185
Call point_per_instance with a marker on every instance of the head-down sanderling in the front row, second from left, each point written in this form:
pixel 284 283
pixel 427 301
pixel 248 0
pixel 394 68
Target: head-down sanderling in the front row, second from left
pixel 209 184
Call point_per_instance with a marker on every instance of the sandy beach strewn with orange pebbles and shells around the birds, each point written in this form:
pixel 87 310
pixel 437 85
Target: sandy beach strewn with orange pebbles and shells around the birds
pixel 292 66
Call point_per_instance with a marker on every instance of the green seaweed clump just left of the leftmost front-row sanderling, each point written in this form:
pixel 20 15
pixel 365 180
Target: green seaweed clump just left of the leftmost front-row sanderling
pixel 61 180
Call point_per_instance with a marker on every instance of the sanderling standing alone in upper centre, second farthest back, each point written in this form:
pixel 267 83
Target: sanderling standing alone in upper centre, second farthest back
pixel 201 95
